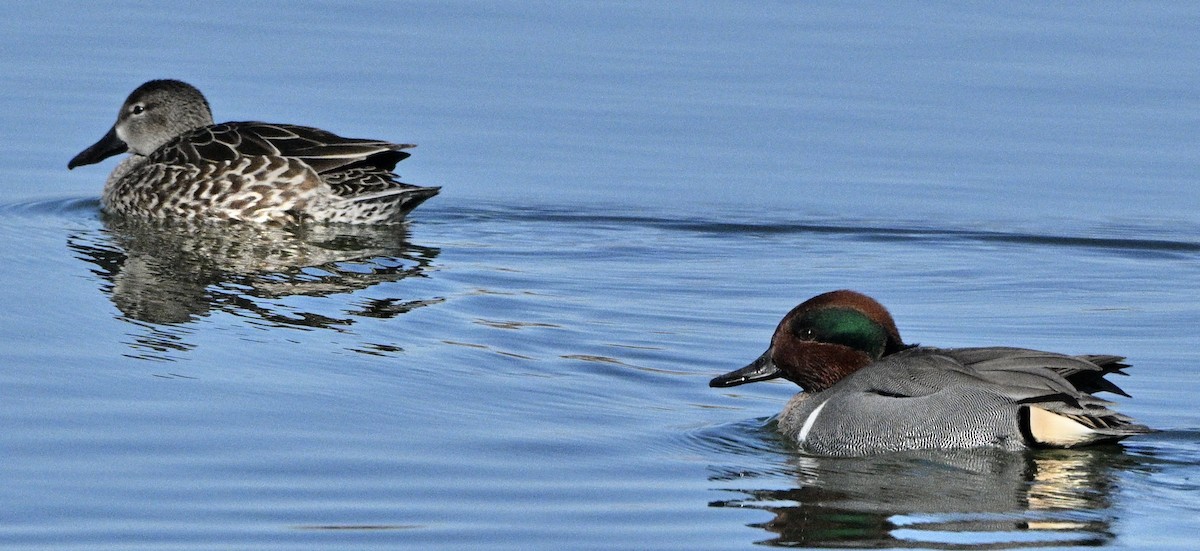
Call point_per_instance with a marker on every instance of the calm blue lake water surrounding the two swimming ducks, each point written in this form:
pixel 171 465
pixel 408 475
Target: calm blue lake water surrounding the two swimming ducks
pixel 634 195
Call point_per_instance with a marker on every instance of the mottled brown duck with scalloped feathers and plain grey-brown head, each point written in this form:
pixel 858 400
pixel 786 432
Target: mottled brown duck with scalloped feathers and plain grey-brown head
pixel 184 167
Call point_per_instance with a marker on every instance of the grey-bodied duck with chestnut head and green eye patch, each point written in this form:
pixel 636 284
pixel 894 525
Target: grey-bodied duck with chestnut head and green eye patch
pixel 866 392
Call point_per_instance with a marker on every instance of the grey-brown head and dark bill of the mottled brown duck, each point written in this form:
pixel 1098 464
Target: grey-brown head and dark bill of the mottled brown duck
pixel 154 115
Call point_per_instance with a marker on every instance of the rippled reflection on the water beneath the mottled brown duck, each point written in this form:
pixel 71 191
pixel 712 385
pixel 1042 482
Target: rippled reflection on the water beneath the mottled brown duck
pixel 163 278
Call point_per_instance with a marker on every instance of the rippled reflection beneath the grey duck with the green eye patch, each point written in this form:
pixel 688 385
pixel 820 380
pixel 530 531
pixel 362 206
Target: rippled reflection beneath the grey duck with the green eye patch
pixel 943 500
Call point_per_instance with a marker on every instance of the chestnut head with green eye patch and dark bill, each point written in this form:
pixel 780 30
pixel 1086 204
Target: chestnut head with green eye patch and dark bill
pixel 821 342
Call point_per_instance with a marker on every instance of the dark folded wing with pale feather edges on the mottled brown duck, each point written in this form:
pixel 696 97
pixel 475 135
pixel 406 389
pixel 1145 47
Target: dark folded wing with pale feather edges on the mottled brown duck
pixel 325 152
